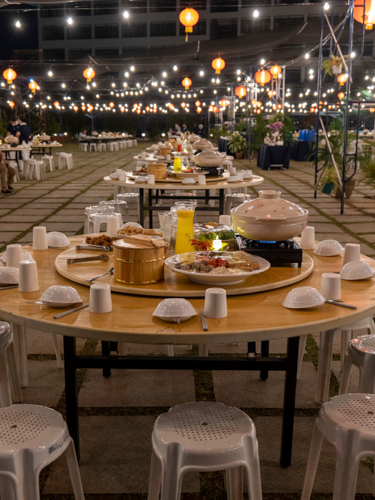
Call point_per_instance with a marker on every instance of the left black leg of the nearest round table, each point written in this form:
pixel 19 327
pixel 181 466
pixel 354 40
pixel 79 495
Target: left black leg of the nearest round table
pixel 71 390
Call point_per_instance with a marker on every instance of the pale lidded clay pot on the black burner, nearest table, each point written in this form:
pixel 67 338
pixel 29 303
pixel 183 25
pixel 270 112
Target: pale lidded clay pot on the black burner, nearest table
pixel 269 218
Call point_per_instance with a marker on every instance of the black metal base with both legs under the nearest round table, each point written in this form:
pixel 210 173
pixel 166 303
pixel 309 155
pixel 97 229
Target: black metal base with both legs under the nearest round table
pixel 263 364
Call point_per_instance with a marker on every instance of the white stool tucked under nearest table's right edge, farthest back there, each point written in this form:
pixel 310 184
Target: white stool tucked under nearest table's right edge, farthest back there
pixel 326 351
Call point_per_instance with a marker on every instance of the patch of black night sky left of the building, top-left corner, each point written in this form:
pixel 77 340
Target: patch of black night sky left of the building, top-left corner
pixel 11 37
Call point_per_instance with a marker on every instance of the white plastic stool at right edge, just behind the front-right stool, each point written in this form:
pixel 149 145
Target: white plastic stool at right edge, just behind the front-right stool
pixel 360 353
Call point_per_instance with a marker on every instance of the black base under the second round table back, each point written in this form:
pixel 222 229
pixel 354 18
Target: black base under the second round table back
pixel 159 196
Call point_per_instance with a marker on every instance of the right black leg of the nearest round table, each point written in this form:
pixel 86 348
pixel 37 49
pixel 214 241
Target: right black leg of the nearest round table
pixel 289 402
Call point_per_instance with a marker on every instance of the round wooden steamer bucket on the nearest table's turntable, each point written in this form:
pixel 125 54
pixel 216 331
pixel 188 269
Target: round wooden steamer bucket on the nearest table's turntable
pixel 136 264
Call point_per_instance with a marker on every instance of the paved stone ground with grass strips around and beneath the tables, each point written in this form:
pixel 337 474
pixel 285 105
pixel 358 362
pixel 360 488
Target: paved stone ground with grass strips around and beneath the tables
pixel 117 413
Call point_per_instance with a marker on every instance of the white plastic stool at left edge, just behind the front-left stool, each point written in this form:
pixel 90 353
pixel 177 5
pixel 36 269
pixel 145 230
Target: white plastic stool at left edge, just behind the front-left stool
pixel 8 368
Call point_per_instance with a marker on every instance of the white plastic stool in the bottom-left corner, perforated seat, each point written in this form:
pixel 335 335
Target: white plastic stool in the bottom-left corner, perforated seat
pixel 32 438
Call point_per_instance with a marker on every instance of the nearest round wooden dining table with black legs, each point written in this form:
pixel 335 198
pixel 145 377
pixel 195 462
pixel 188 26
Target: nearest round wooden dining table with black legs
pixel 253 317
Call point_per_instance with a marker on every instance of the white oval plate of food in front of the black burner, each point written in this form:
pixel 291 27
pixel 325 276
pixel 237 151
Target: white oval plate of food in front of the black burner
pixel 213 268
